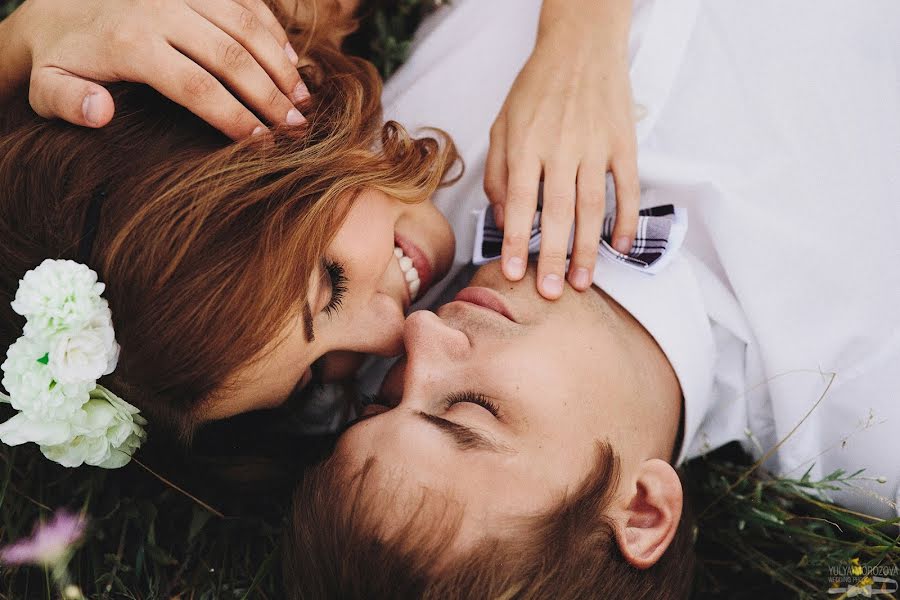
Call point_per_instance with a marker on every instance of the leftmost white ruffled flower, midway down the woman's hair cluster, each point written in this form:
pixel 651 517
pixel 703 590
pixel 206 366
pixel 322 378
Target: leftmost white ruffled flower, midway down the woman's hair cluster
pixel 32 387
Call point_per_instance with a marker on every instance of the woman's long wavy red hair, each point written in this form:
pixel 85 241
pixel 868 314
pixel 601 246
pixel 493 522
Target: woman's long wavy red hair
pixel 205 246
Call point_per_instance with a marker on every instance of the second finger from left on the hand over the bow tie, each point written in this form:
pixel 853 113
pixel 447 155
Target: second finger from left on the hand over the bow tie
pixel 556 225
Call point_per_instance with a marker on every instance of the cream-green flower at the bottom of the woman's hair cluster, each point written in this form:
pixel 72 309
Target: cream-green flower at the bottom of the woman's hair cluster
pixel 107 431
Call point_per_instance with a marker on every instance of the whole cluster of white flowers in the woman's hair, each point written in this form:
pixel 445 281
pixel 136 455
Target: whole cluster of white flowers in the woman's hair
pixel 51 372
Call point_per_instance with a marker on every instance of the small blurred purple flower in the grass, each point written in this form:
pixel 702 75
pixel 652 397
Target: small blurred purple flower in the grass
pixel 50 544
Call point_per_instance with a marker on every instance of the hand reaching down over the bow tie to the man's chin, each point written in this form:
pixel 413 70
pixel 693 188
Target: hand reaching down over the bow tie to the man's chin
pixel 568 116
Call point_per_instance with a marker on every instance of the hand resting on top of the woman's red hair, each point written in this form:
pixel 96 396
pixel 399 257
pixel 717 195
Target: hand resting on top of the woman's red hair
pixel 227 61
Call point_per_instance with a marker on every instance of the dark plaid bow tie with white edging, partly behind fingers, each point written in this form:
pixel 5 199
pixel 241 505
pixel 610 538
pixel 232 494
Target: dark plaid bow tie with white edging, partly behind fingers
pixel 660 232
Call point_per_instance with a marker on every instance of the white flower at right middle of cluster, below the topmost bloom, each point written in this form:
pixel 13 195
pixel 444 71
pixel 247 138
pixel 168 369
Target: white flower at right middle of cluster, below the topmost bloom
pixel 85 354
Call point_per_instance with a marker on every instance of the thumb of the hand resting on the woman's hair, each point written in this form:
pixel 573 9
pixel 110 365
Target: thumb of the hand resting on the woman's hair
pixel 58 94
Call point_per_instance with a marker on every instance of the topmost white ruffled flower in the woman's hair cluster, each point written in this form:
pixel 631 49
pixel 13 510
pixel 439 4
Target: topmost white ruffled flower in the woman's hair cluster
pixel 58 295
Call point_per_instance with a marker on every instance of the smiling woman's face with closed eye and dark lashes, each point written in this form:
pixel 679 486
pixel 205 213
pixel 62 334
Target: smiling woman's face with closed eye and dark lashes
pixel 385 255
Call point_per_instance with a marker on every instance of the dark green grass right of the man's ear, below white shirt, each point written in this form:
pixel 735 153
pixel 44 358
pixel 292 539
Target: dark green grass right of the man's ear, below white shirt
pixel 767 537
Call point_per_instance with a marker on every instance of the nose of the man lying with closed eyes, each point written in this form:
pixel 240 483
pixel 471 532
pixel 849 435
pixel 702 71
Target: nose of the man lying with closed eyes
pixel 430 340
